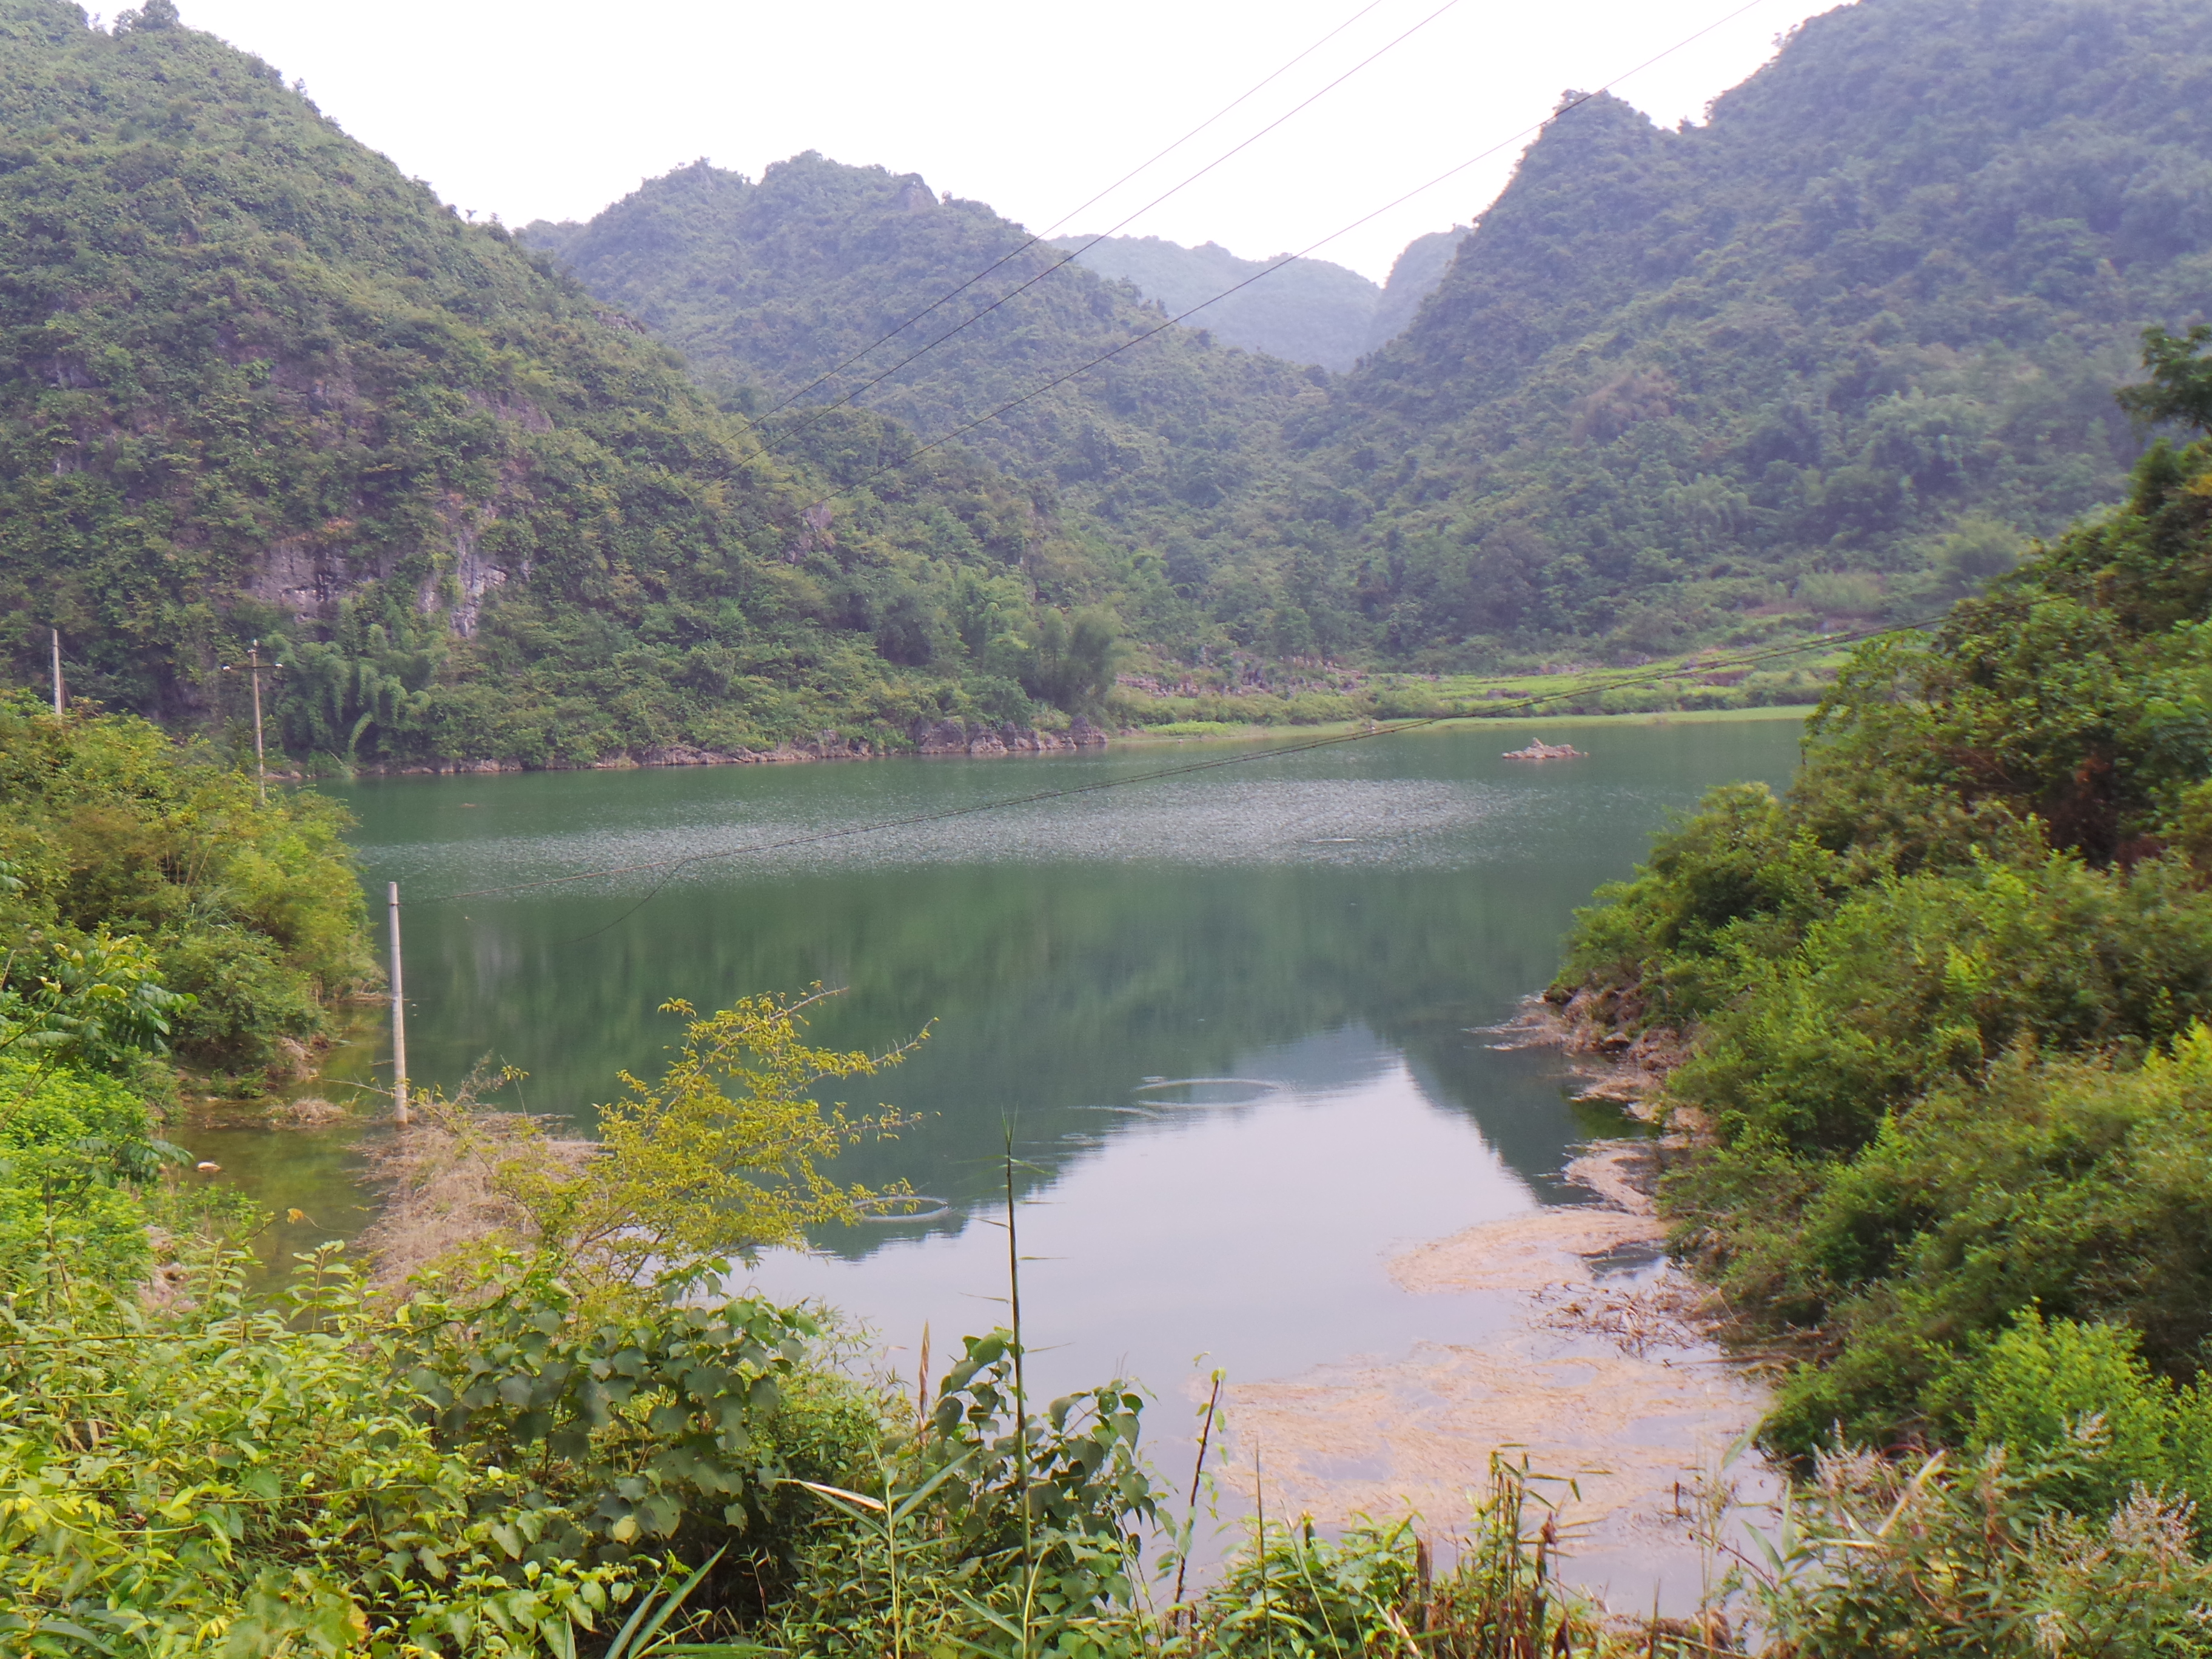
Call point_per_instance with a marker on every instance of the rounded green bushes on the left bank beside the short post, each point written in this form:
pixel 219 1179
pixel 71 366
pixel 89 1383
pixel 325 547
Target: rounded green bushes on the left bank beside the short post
pixel 154 870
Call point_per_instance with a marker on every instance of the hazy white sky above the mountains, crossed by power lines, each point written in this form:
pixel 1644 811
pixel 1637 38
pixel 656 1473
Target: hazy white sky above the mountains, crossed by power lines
pixel 550 109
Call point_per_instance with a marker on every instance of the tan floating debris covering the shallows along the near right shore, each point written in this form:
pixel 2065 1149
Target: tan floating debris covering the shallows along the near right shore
pixel 1600 1370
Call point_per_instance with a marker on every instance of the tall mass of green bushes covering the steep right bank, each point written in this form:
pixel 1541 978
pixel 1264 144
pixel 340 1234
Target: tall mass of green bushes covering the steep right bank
pixel 1948 1003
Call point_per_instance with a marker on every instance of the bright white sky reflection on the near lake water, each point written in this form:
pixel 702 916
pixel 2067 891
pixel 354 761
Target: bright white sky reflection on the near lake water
pixel 1253 1229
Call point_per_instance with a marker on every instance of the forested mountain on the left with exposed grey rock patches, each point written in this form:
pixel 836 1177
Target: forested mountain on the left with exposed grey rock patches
pixel 255 384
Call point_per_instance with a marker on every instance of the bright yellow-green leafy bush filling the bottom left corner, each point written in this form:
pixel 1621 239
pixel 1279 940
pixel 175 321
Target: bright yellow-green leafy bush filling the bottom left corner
pixel 255 1474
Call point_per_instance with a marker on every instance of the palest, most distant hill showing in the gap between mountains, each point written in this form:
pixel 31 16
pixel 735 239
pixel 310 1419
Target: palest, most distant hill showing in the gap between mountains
pixel 1304 313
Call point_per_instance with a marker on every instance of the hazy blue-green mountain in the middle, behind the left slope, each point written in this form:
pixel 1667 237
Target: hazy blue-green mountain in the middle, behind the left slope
pixel 778 291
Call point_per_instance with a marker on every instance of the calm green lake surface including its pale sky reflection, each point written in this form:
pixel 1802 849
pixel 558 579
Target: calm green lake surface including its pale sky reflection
pixel 1315 935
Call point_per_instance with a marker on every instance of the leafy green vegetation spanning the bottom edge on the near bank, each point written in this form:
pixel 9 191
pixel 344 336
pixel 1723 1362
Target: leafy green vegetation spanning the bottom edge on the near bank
pixel 543 1454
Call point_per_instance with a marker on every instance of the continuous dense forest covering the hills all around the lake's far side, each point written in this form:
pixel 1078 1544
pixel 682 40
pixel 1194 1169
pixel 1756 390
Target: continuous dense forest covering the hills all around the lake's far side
pixel 651 486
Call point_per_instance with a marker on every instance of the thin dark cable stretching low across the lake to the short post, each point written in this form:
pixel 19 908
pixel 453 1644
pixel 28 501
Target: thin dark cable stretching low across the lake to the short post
pixel 671 866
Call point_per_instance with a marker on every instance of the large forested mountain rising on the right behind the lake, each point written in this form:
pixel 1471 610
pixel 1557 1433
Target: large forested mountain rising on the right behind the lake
pixel 1841 351
